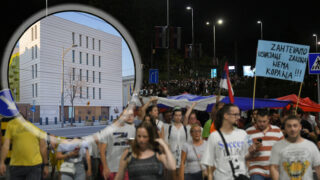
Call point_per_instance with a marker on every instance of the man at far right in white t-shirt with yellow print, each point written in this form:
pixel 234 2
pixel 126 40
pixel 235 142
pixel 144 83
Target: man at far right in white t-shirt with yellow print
pixel 294 157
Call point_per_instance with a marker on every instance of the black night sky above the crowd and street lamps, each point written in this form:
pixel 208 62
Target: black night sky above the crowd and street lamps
pixel 292 22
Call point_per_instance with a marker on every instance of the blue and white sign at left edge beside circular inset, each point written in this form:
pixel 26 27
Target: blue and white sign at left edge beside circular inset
pixel 8 107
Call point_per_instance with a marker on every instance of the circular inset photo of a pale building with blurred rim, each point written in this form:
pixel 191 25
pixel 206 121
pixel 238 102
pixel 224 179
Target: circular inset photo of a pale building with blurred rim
pixel 71 73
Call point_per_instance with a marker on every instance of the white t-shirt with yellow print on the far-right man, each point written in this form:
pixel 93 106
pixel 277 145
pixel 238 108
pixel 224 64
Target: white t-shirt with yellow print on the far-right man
pixel 295 160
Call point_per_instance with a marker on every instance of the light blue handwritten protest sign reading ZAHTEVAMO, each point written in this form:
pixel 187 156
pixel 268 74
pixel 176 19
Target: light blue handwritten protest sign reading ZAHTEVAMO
pixel 281 60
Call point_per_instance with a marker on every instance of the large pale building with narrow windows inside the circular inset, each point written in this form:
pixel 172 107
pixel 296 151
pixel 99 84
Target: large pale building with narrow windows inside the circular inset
pixel 93 68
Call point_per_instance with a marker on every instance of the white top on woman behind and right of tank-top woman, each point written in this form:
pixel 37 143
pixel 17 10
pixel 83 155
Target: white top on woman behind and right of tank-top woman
pixel 177 139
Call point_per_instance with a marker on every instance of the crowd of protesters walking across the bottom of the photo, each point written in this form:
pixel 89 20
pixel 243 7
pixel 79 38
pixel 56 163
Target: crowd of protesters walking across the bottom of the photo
pixel 176 143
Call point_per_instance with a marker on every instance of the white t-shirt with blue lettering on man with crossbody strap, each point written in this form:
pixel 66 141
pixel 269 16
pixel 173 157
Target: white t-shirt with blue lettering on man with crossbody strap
pixel 215 154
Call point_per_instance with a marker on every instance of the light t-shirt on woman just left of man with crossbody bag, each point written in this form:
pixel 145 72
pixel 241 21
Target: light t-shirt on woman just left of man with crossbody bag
pixel 194 154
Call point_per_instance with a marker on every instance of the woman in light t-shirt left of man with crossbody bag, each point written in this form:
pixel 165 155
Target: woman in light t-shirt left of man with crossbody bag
pixel 191 154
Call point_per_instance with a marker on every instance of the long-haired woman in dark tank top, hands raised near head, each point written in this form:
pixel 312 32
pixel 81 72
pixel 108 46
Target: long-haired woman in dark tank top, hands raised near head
pixel 144 160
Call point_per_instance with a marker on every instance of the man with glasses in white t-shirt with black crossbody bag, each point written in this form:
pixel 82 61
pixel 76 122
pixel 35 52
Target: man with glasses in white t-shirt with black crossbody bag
pixel 238 142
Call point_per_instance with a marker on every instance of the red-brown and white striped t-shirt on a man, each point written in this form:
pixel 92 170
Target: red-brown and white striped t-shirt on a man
pixel 260 163
